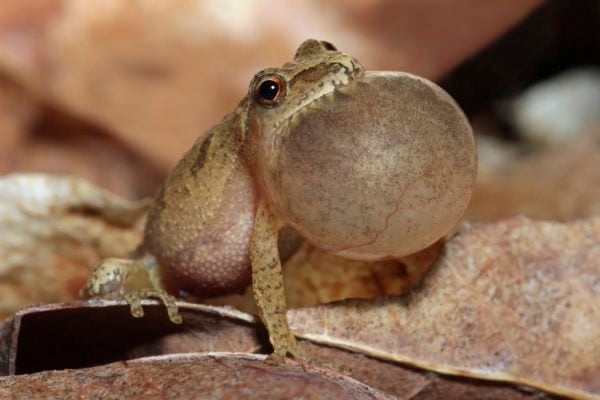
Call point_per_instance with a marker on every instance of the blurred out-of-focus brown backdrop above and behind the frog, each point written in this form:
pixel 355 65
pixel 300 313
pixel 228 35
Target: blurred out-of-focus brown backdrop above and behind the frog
pixel 116 91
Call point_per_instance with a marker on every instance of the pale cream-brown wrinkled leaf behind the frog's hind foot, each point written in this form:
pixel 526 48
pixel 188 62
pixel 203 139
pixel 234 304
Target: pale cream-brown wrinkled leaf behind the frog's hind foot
pixel 55 229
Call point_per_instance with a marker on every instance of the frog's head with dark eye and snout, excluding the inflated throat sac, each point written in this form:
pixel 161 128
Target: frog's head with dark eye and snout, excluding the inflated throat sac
pixel 318 68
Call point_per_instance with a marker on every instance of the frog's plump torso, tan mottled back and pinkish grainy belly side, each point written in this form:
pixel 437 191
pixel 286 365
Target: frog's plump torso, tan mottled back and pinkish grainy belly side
pixel 200 227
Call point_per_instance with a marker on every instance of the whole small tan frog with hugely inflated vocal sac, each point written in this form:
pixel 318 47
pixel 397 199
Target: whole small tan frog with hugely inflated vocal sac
pixel 368 165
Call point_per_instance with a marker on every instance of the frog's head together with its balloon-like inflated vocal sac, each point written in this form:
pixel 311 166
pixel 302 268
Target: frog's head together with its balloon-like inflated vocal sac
pixel 366 164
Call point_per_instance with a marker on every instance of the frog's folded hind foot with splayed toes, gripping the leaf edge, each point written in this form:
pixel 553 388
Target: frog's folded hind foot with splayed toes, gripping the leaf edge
pixel 132 280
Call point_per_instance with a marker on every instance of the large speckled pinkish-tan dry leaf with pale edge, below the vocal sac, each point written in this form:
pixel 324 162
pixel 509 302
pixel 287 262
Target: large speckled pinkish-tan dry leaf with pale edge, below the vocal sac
pixel 508 302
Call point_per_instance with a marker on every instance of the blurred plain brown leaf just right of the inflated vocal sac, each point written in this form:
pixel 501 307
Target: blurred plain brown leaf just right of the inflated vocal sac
pixel 559 183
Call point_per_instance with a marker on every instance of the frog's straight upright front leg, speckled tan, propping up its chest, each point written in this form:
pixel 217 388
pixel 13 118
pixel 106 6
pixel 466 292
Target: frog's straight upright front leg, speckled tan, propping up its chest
pixel 267 285
